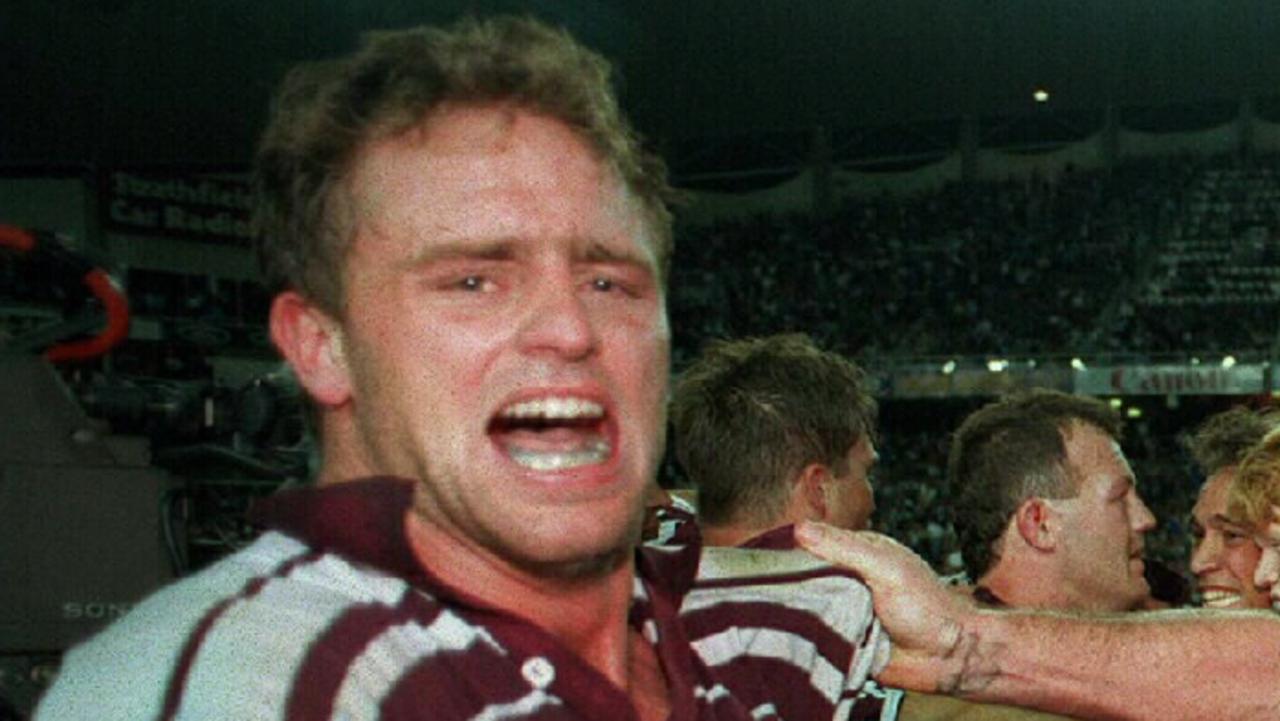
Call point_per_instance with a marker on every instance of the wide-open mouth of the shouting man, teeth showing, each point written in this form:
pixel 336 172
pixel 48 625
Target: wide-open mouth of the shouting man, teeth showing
pixel 552 433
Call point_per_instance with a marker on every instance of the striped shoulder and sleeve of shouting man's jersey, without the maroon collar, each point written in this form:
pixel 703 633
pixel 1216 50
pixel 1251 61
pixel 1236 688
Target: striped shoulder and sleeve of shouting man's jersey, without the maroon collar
pixel 304 638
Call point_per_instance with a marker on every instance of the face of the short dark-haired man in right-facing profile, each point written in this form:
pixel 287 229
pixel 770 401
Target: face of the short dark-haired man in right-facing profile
pixel 1103 527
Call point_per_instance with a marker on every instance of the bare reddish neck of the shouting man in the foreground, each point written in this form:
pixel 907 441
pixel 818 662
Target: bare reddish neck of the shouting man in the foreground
pixel 587 614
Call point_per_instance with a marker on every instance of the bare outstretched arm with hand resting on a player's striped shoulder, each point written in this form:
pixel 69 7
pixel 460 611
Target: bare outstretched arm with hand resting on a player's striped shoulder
pixel 1163 665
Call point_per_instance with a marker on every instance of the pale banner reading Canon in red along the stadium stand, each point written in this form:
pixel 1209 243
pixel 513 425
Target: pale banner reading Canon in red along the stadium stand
pixel 1172 381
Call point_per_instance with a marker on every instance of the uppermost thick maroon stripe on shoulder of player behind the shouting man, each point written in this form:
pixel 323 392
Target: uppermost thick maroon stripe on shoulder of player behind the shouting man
pixel 715 619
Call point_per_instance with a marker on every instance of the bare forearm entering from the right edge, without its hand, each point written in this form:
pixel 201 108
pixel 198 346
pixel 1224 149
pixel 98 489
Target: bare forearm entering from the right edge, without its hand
pixel 1168 665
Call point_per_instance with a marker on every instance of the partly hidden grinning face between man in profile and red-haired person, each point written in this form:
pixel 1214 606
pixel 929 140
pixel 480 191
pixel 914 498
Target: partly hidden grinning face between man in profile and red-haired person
pixel 1226 555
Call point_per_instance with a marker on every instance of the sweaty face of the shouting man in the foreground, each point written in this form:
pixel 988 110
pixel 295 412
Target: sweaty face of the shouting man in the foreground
pixel 506 340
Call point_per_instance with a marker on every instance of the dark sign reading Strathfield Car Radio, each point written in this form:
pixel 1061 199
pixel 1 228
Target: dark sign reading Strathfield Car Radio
pixel 204 207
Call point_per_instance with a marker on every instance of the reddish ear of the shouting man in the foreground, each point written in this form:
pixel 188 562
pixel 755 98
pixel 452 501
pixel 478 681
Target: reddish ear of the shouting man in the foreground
pixel 313 344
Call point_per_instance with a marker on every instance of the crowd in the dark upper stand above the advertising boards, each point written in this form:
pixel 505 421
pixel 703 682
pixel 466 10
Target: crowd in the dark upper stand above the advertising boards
pixel 1167 255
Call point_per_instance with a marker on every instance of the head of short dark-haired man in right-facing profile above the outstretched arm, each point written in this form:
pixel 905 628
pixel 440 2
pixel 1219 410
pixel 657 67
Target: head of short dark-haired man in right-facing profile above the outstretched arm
pixel 1046 506
